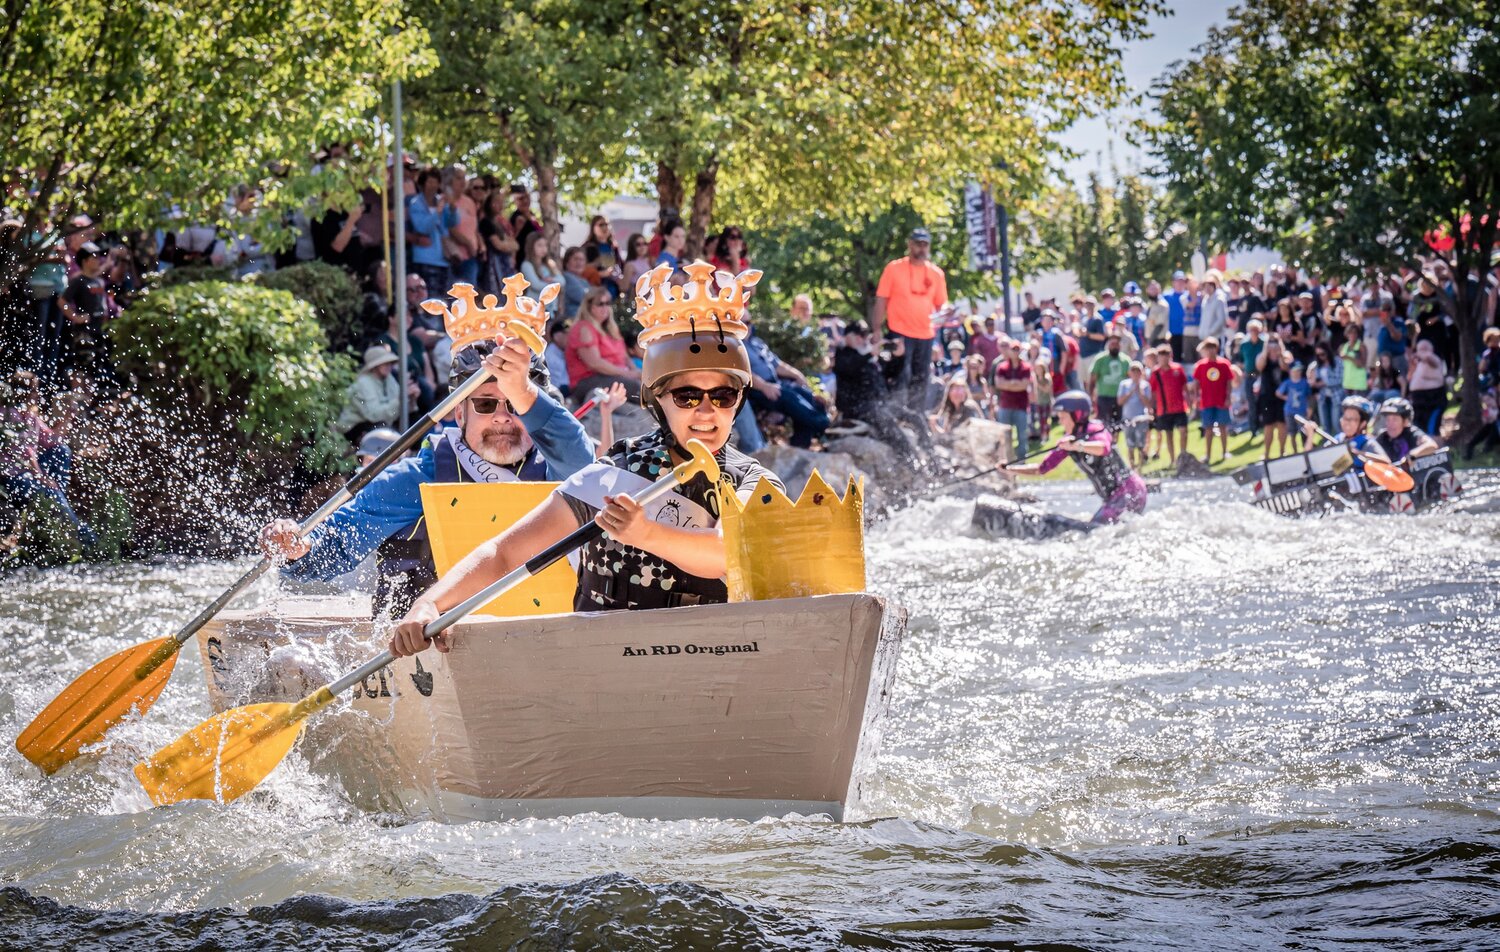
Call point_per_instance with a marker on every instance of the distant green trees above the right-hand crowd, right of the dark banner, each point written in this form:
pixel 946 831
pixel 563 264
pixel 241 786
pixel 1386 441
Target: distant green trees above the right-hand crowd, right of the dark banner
pixel 1106 236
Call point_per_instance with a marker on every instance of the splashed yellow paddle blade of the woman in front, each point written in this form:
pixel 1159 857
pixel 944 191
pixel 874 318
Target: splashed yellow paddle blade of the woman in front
pixel 229 755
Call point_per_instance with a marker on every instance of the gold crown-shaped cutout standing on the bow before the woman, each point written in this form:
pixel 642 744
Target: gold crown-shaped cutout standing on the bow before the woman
pixel 782 549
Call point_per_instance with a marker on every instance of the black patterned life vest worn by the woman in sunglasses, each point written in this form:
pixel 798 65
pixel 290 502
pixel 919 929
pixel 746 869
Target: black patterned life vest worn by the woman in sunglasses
pixel 613 576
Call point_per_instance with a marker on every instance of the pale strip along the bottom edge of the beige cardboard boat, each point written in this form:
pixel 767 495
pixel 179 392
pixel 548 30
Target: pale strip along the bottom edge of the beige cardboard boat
pixel 464 807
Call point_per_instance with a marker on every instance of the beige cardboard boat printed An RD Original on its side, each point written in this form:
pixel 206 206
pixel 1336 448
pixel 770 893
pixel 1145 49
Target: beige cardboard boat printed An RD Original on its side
pixel 745 710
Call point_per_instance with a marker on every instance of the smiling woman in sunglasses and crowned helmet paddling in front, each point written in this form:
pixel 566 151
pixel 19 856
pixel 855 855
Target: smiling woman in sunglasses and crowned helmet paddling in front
pixel 694 382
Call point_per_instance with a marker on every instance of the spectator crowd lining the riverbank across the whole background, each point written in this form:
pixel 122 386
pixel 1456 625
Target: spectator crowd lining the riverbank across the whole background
pixel 1229 353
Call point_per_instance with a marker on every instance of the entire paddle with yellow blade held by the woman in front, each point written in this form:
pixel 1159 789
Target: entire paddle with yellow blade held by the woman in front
pixel 232 753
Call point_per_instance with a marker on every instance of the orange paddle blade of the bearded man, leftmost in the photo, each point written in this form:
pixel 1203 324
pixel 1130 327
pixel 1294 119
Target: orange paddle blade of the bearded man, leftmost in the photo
pixel 97 701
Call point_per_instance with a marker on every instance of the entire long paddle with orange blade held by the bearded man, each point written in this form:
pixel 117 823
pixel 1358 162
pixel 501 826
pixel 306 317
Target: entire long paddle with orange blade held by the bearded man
pixel 133 680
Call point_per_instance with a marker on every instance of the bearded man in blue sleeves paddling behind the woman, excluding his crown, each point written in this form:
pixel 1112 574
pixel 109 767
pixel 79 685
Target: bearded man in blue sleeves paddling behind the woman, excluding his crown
pixel 511 430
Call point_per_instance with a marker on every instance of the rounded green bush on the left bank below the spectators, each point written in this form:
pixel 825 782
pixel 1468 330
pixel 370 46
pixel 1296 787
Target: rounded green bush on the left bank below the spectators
pixel 238 359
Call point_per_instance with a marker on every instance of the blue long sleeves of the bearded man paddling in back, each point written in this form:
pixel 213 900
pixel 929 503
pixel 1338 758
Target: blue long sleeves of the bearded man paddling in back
pixel 394 500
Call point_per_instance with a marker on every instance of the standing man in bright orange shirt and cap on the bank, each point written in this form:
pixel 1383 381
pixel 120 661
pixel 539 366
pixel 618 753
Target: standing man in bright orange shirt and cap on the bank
pixel 910 292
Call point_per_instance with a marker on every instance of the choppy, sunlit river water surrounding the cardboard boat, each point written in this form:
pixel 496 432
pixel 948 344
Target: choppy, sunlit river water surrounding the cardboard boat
pixel 1205 729
